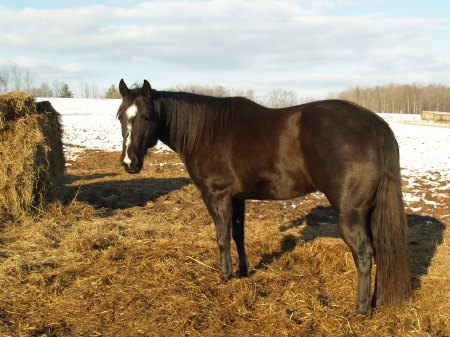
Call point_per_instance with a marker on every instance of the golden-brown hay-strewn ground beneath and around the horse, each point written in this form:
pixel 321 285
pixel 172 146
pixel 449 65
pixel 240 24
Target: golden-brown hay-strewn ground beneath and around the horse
pixel 136 256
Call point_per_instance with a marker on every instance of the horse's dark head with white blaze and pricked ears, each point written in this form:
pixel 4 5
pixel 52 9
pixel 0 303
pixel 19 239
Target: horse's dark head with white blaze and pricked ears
pixel 139 125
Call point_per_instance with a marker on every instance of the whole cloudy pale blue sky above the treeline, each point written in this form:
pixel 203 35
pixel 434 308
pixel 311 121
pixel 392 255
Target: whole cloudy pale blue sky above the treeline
pixel 313 47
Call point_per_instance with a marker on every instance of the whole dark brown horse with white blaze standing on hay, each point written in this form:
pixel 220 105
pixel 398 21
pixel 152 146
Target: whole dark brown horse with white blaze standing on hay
pixel 235 149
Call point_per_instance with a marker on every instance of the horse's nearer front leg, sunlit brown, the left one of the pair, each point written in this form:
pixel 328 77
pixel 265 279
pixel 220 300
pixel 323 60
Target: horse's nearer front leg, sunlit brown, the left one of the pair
pixel 220 208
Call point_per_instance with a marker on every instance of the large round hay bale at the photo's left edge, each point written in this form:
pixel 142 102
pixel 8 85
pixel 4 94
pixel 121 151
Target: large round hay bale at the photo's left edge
pixel 31 155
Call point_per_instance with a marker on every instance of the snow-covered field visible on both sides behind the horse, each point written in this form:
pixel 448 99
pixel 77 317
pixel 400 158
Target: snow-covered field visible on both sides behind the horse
pixel 424 148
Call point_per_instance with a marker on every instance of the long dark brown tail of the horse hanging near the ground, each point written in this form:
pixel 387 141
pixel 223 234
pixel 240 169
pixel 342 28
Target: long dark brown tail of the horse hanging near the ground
pixel 388 226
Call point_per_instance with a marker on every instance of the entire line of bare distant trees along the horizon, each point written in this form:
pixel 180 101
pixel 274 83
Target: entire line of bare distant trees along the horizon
pixel 408 99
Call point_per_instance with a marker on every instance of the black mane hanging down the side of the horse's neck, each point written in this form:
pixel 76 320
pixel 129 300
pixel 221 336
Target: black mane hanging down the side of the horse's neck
pixel 192 118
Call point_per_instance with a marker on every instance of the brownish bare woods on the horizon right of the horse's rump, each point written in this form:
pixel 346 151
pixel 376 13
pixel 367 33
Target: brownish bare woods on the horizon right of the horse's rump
pixel 407 99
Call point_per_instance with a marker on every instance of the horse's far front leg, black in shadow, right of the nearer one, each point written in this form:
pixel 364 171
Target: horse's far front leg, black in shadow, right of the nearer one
pixel 238 235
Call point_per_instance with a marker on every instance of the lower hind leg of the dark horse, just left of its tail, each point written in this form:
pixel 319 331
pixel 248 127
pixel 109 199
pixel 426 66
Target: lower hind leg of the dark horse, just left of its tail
pixel 353 227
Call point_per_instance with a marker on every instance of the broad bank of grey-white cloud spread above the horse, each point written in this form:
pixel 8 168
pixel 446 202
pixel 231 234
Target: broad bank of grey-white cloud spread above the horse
pixel 265 39
